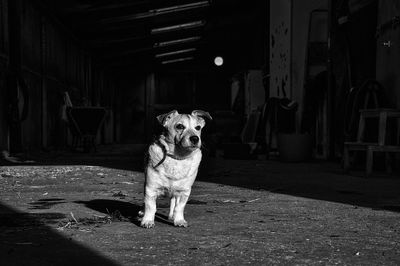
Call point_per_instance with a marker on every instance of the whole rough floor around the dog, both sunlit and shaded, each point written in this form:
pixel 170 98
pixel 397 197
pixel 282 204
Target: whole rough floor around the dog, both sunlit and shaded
pixel 81 210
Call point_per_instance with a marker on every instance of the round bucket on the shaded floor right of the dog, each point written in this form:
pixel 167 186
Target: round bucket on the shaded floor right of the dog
pixel 294 147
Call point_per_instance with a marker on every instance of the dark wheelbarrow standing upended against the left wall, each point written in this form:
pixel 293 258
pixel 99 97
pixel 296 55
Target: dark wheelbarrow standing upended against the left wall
pixel 84 123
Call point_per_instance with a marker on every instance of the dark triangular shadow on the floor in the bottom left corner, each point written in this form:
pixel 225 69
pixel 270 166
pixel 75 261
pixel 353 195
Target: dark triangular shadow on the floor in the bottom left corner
pixel 26 239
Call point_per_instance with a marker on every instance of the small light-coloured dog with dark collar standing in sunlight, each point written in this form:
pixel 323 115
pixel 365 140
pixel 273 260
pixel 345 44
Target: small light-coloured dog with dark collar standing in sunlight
pixel 172 164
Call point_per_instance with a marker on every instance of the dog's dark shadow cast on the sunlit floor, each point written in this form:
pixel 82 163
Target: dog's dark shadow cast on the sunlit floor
pixel 125 209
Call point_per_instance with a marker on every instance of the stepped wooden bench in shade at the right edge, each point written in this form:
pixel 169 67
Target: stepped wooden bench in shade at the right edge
pixel 383 114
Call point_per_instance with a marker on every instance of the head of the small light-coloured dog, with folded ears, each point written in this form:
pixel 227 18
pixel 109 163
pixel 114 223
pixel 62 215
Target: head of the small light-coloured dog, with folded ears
pixel 184 130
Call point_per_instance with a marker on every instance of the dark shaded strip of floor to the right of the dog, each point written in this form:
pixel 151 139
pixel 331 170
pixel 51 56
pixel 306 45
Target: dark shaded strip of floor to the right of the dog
pixel 309 180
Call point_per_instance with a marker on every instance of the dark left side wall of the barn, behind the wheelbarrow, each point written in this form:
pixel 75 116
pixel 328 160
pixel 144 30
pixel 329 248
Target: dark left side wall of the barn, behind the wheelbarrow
pixel 52 62
